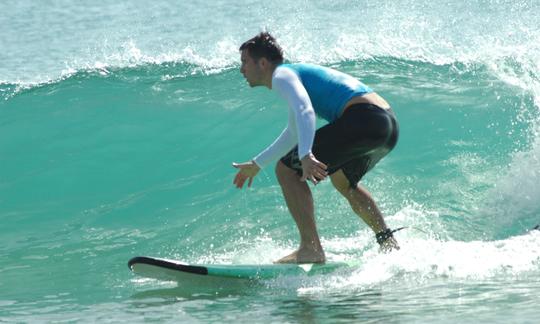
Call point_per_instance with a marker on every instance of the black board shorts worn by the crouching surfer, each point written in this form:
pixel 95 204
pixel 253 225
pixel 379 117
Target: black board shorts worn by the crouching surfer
pixel 354 142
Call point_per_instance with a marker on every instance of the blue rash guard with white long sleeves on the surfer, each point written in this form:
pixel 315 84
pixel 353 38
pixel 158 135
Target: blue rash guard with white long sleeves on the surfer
pixel 309 90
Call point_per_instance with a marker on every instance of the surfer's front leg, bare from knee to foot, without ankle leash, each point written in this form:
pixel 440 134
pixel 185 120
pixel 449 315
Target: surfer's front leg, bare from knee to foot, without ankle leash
pixel 300 203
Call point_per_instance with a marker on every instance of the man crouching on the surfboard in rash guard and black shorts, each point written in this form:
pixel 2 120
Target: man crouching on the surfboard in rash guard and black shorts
pixel 362 129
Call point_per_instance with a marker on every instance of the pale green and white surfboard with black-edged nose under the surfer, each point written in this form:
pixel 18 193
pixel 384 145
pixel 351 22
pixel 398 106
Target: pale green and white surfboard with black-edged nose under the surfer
pixel 173 270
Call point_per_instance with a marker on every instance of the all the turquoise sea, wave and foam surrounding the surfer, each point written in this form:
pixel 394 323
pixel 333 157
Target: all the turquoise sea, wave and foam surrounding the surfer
pixel 119 122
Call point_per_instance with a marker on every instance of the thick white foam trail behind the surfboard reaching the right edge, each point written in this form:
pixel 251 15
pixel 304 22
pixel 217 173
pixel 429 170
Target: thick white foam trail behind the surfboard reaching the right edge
pixel 426 259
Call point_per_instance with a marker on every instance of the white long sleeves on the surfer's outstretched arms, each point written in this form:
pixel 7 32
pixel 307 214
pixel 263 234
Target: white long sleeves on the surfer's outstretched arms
pixel 301 126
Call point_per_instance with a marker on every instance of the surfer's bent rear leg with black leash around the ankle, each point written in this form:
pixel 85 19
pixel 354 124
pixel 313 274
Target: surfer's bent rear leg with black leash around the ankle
pixel 364 206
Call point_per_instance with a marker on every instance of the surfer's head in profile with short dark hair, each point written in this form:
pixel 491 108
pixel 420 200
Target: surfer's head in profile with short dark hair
pixel 259 56
